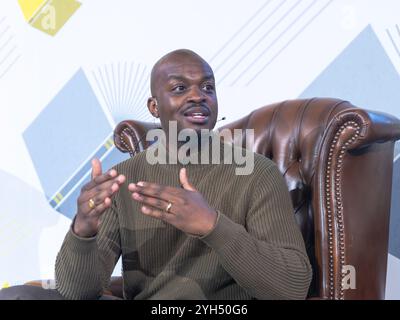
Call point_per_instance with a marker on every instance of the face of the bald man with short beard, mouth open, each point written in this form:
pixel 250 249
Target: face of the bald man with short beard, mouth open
pixel 185 92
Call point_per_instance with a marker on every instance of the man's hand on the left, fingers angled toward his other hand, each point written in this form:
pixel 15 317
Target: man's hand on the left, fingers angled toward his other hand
pixel 94 199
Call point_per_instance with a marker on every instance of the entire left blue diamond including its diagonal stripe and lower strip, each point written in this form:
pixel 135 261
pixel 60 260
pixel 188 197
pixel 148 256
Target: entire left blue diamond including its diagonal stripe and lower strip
pixel 62 140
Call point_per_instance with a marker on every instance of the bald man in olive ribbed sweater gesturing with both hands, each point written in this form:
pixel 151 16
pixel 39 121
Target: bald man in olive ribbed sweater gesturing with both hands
pixel 185 231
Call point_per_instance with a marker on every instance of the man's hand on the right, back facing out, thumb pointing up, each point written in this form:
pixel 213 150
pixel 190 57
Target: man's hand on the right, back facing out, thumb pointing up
pixel 189 211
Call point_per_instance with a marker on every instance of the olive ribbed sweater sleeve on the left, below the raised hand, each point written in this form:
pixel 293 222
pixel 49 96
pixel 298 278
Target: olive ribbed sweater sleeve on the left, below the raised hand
pixel 84 265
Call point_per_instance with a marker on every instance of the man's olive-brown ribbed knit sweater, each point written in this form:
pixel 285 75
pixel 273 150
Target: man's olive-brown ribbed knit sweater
pixel 255 249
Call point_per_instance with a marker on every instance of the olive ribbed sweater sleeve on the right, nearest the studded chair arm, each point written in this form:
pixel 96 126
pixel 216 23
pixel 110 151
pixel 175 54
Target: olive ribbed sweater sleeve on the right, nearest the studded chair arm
pixel 267 256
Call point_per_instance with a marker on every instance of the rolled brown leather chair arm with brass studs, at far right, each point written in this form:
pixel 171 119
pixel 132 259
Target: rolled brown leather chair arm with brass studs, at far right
pixel 351 202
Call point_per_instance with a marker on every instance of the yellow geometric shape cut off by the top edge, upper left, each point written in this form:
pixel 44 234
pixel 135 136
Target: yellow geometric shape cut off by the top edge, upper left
pixel 48 16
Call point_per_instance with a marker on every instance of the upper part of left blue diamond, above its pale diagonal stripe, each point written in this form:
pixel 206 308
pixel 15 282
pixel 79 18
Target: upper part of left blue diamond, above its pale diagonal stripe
pixel 66 132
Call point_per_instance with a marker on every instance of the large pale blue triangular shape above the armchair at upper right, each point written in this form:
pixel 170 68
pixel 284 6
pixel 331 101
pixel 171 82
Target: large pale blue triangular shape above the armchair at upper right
pixel 362 74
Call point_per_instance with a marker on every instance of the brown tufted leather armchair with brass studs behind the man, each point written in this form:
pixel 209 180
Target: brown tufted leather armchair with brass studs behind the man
pixel 337 161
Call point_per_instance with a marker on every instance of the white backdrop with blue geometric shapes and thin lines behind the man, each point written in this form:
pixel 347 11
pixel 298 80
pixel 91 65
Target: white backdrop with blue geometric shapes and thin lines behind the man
pixel 261 51
